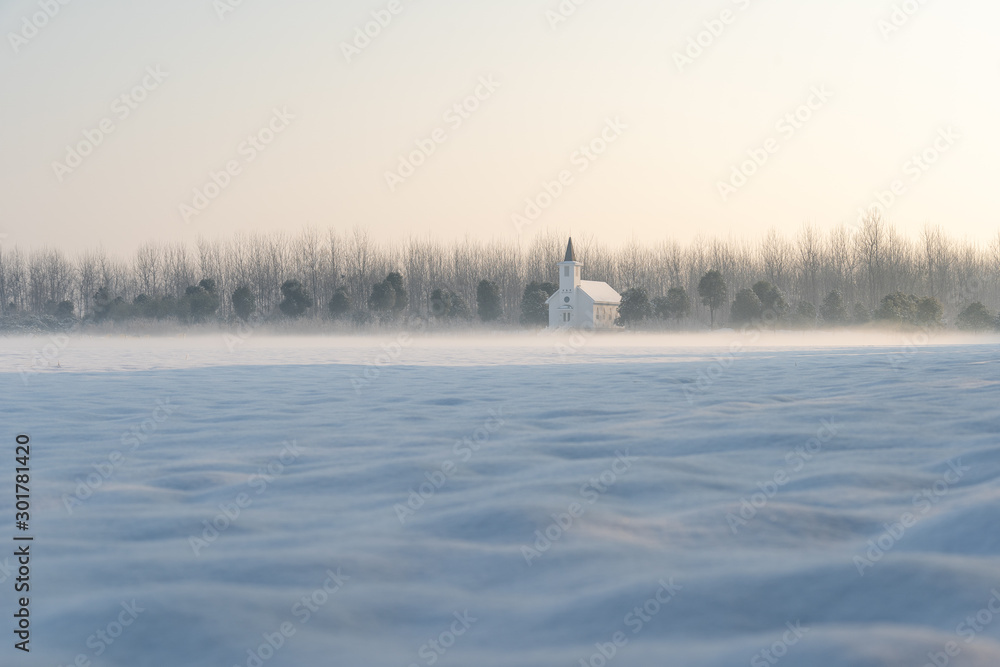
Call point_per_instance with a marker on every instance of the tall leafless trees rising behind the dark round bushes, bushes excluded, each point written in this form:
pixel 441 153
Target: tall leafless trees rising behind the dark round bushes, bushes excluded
pixel 864 264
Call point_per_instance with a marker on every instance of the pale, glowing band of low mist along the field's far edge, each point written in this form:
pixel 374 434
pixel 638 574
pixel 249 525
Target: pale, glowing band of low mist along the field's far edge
pixel 209 346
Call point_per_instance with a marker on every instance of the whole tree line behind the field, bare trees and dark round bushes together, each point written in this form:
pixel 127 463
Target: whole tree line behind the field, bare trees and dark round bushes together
pixel 846 275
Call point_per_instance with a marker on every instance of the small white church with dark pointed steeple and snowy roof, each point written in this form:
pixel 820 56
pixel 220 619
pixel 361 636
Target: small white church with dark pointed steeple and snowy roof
pixel 581 304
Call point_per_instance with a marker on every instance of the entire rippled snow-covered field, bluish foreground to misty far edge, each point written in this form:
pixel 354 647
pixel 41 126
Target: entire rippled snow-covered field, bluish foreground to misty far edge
pixel 498 501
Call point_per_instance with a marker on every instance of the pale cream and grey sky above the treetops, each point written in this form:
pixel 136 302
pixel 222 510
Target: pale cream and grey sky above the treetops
pixel 610 68
